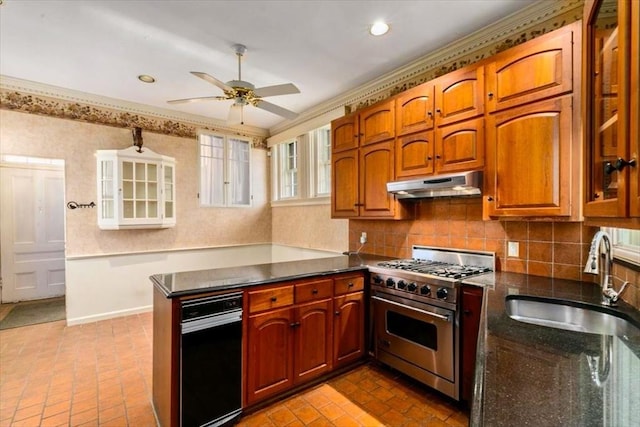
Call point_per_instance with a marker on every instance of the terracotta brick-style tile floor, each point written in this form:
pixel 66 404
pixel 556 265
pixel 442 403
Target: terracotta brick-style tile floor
pixel 99 374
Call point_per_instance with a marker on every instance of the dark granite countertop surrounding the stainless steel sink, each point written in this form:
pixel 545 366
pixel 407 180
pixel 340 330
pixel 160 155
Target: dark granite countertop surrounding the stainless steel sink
pixel 530 375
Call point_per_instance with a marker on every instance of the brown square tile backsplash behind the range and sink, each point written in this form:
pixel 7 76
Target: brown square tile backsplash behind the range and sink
pixel 551 249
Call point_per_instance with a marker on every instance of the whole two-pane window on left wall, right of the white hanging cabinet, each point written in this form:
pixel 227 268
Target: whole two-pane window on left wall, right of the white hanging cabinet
pixel 225 170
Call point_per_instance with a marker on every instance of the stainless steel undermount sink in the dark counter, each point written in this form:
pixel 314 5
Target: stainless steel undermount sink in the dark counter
pixel 571 316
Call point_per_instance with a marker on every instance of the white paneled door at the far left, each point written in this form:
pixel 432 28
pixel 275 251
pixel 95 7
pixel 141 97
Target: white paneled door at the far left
pixel 31 233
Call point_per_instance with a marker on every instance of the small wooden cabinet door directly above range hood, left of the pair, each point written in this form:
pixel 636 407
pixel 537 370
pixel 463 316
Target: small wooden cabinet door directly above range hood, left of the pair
pixel 414 154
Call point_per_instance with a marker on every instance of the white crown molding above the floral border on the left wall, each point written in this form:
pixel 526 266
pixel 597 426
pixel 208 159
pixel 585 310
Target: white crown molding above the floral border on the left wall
pixel 13 84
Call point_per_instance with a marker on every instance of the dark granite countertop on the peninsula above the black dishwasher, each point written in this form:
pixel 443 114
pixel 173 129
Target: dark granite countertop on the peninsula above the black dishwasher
pixel 218 279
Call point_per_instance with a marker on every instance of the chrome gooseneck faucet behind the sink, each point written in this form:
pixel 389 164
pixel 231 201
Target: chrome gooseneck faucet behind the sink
pixel 609 294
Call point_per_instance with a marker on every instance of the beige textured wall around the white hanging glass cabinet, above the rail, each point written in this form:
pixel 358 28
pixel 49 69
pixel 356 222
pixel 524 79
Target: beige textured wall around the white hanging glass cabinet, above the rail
pixel 76 143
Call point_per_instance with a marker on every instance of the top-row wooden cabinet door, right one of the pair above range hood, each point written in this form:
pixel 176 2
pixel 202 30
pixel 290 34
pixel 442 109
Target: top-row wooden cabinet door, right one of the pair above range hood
pixel 459 95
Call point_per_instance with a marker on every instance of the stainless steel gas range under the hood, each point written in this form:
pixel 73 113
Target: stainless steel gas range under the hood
pixel 416 316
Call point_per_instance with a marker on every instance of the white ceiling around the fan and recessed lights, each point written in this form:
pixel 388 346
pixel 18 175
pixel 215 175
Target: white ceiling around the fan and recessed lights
pixel 322 46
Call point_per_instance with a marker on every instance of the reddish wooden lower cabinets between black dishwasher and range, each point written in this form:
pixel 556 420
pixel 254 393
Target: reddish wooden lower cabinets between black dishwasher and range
pixel 321 328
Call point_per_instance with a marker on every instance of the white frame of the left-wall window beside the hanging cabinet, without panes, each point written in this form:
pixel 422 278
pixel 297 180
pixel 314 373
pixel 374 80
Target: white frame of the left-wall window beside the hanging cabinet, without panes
pixel 227 172
